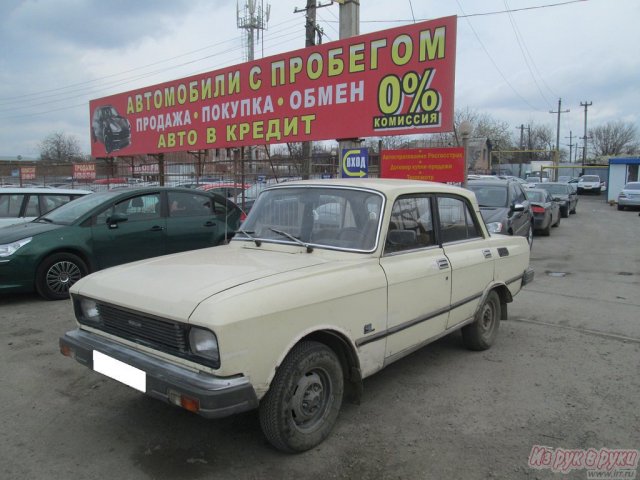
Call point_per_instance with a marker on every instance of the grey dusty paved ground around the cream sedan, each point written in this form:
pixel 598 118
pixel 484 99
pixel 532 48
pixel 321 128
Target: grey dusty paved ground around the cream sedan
pixel 563 374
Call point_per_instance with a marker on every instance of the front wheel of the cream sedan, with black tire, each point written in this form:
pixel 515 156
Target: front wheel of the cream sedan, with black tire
pixel 302 404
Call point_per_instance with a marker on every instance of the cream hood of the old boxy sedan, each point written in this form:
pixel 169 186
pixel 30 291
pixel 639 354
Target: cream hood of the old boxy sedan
pixel 172 286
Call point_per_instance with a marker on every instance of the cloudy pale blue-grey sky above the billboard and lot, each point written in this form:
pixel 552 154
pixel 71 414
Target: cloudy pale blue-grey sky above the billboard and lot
pixel 515 58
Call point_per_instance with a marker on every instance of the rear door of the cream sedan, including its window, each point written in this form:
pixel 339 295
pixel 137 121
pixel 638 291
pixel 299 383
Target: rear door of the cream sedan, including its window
pixel 468 254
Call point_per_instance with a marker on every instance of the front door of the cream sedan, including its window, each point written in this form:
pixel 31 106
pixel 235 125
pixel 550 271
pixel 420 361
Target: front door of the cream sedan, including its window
pixel 418 276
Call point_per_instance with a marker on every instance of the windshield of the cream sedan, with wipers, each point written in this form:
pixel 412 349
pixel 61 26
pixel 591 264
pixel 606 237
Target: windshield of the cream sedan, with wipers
pixel 324 217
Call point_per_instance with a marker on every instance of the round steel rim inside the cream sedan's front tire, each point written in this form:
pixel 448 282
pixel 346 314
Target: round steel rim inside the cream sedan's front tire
pixel 311 399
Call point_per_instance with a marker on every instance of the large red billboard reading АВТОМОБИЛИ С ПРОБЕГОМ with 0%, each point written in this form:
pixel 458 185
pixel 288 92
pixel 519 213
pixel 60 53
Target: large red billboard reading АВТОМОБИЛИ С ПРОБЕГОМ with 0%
pixel 393 82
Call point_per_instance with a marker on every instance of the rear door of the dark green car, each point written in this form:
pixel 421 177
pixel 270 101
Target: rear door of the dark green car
pixel 195 220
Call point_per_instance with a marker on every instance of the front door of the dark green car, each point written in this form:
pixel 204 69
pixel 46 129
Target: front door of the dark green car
pixel 129 229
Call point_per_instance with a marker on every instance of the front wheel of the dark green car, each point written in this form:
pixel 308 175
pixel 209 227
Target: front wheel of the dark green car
pixel 57 273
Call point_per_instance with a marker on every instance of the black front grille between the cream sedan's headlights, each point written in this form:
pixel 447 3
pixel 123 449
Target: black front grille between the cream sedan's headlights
pixel 170 337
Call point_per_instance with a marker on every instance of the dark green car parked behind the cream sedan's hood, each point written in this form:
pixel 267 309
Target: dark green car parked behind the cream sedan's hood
pixel 104 229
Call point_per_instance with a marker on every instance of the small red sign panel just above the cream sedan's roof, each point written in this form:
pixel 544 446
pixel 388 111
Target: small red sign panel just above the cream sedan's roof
pixel 445 165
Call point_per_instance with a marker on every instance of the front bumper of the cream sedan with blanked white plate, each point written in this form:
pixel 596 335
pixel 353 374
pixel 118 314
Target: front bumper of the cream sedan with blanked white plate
pixel 205 394
